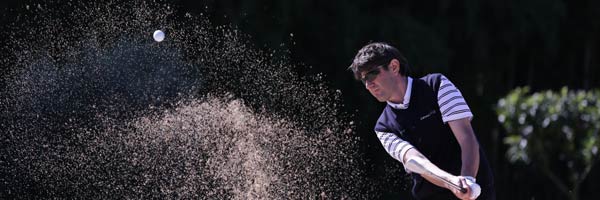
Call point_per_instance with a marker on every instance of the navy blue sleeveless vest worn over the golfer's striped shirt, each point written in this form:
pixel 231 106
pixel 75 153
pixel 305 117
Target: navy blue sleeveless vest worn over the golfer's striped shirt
pixel 422 126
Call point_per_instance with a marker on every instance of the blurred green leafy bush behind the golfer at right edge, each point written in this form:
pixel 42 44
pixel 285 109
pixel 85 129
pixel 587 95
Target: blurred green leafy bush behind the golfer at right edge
pixel 556 132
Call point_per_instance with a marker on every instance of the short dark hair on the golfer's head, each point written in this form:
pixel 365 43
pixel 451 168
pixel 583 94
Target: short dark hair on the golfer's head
pixel 377 54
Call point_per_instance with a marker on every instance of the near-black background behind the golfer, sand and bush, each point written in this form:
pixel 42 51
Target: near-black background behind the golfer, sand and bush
pixel 486 48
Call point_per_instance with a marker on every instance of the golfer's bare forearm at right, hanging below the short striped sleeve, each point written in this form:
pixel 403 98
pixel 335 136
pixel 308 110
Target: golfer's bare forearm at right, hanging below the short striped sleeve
pixel 468 145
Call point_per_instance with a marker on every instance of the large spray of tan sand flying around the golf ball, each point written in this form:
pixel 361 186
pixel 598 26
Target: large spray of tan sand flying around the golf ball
pixel 92 107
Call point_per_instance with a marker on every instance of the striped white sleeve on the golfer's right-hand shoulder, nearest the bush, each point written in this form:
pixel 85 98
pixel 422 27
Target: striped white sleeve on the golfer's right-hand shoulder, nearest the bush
pixel 452 104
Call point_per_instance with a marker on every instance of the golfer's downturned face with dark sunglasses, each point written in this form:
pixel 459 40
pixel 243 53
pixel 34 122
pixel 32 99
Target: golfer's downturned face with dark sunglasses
pixel 379 82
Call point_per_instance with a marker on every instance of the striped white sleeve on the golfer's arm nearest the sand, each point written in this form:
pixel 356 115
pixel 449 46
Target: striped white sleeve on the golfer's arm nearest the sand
pixel 394 145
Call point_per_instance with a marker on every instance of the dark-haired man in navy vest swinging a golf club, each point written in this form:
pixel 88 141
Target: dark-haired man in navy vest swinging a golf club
pixel 425 119
